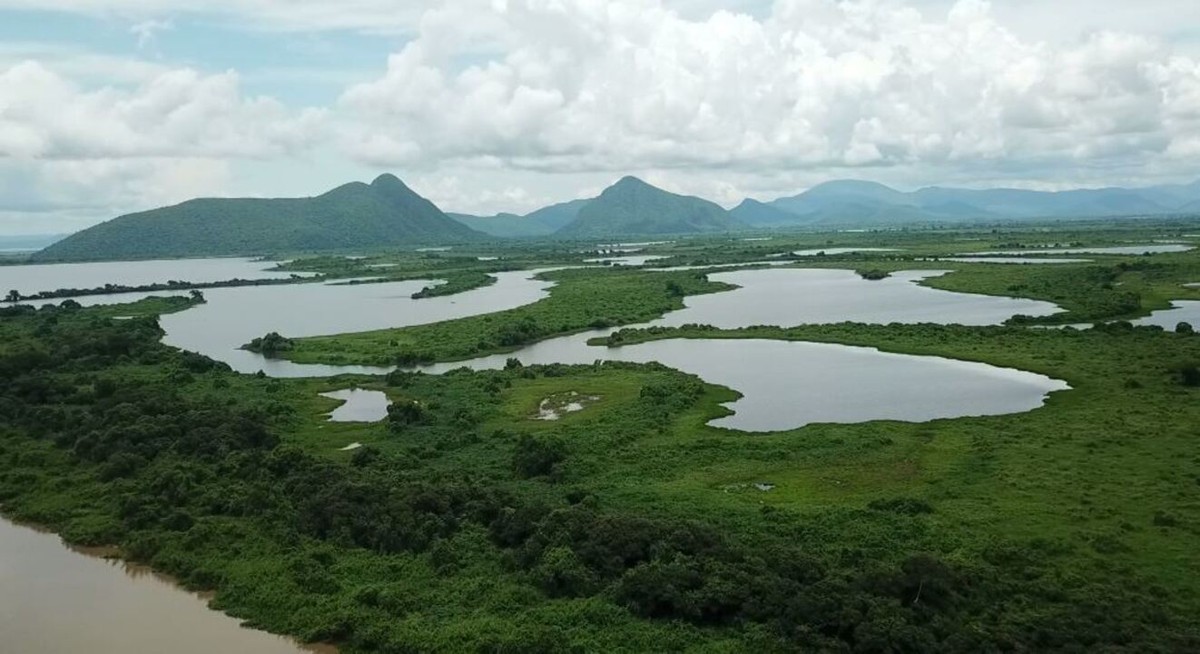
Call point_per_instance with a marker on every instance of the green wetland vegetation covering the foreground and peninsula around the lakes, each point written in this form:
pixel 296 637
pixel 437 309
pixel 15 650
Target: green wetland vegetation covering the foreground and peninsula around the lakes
pixel 1066 529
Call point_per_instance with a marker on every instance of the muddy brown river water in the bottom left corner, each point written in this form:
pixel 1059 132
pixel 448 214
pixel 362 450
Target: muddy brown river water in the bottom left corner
pixel 55 601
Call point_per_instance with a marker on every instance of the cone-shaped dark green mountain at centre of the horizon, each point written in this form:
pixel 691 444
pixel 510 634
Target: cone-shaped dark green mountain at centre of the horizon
pixel 635 208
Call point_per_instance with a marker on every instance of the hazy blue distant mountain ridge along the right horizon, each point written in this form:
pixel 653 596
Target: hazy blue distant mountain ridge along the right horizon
pixel 853 202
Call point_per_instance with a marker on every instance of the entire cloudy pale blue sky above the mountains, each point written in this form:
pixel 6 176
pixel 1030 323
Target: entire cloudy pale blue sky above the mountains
pixel 488 106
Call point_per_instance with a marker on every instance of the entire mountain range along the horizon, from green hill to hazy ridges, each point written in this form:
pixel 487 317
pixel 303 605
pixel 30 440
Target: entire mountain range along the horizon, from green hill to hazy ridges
pixel 388 214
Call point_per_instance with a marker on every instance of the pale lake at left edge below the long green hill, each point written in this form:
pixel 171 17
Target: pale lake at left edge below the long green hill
pixel 39 278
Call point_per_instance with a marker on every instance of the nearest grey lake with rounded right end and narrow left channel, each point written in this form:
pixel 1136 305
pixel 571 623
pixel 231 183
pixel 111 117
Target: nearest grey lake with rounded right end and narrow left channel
pixel 789 385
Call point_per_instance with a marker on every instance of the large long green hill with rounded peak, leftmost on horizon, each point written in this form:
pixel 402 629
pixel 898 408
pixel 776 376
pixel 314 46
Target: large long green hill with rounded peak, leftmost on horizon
pixel 357 215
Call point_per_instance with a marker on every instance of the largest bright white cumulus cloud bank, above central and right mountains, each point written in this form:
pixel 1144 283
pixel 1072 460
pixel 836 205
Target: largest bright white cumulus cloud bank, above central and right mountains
pixel 633 85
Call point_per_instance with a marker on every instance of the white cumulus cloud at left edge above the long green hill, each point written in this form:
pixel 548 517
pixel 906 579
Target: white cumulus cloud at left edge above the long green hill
pixel 86 154
